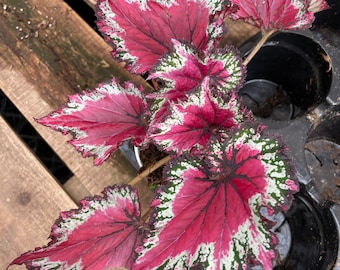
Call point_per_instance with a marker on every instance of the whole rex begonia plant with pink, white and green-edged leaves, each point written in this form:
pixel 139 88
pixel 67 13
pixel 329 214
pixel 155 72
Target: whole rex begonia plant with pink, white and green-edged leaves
pixel 223 171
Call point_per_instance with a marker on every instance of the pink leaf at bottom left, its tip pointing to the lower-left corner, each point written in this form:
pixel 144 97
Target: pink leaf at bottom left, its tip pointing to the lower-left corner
pixel 101 234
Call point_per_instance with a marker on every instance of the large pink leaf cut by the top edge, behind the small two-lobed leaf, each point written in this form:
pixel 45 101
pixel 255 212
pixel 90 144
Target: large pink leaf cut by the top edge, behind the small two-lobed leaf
pixel 141 31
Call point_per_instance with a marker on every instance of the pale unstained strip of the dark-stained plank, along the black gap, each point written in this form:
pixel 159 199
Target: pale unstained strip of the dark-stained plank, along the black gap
pixel 26 98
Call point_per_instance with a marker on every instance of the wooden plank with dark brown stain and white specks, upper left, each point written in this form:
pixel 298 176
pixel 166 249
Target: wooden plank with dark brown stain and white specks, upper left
pixel 47 52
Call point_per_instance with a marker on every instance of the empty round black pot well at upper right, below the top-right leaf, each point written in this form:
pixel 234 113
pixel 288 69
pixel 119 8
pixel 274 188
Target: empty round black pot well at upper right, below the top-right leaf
pixel 289 76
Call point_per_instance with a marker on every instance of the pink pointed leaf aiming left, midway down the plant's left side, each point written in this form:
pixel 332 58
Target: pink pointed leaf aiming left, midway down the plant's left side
pixel 101 120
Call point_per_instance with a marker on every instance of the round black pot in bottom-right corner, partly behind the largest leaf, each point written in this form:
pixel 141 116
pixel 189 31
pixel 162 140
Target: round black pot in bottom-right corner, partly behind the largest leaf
pixel 312 233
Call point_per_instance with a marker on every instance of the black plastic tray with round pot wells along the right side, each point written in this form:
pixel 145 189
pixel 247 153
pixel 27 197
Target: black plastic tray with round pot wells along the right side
pixel 293 87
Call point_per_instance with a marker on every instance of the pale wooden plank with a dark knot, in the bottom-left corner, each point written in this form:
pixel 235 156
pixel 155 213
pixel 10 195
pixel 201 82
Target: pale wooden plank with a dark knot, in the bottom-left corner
pixel 31 199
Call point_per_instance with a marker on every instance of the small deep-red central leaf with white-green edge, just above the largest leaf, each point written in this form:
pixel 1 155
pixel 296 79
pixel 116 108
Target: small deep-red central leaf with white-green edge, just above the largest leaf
pixel 192 123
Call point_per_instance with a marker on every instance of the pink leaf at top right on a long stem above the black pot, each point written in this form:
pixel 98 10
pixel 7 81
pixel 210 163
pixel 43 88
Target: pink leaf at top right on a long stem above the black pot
pixel 278 14
